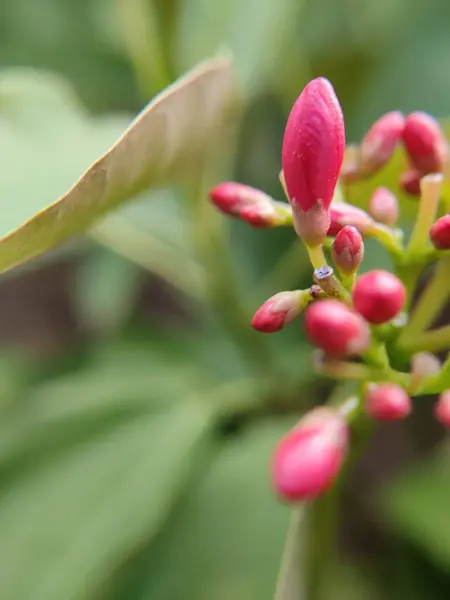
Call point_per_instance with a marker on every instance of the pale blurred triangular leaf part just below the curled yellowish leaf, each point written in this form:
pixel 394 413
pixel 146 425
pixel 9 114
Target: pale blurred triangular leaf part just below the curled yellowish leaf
pixel 152 232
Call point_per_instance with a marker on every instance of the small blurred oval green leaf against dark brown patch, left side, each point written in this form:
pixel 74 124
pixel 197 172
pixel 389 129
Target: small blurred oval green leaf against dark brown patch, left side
pixel 105 292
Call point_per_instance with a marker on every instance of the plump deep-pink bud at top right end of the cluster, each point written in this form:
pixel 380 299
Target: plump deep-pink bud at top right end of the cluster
pixel 425 143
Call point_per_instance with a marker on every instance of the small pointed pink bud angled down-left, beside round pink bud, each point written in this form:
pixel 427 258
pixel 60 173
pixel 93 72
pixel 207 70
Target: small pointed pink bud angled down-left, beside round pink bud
pixel 279 310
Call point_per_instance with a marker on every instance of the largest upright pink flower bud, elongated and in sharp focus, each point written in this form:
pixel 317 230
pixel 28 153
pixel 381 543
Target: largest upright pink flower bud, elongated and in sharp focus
pixel 312 155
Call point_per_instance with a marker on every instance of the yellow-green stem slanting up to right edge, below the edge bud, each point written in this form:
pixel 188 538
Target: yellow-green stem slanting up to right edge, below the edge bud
pixel 430 302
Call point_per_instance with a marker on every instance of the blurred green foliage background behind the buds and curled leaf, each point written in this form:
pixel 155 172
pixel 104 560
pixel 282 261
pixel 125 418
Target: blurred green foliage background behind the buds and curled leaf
pixel 138 409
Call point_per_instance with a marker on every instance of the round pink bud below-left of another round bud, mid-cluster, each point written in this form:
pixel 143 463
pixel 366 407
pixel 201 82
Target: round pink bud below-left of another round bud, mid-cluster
pixel 337 330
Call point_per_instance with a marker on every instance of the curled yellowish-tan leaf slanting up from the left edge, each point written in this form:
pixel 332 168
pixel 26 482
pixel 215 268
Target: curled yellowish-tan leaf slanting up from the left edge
pixel 162 144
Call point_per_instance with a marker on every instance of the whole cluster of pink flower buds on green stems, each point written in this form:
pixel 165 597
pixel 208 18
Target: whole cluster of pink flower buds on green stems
pixel 356 322
